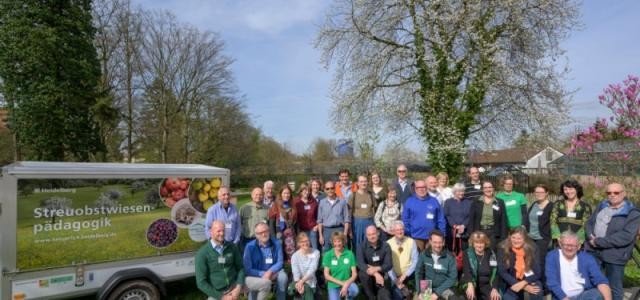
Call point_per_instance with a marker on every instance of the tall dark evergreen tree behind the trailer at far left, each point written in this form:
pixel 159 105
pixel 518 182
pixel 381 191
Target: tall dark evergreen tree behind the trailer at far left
pixel 50 73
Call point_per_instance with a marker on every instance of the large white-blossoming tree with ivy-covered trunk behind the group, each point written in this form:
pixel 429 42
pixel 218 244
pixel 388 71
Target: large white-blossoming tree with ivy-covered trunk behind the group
pixel 447 69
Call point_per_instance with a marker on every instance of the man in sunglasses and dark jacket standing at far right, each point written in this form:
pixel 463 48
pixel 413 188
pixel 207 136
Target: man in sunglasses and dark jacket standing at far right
pixel 611 234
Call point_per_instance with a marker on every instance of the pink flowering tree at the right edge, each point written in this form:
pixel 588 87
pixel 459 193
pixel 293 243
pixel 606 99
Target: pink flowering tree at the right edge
pixel 613 153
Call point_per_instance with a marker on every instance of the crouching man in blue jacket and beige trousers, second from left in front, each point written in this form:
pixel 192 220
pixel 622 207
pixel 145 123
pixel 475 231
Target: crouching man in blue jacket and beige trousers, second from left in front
pixel 263 264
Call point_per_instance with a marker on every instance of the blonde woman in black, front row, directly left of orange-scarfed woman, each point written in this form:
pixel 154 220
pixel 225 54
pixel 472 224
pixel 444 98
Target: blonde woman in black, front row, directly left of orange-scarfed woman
pixel 479 272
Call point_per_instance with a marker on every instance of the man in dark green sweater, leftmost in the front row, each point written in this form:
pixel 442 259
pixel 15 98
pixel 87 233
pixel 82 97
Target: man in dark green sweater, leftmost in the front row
pixel 219 269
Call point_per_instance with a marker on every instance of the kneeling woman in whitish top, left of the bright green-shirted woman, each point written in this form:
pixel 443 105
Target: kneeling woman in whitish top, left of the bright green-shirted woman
pixel 304 264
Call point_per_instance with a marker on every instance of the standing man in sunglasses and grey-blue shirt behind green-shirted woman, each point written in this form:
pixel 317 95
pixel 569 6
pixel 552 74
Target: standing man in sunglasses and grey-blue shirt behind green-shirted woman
pixel 333 216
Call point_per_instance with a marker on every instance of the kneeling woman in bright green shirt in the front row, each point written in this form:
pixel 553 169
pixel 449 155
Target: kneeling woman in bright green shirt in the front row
pixel 340 270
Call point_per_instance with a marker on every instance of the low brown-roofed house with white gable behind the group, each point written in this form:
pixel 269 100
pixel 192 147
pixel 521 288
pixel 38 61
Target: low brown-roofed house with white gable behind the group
pixel 528 160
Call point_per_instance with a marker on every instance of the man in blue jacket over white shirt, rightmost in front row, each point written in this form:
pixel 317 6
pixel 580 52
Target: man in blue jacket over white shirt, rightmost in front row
pixel 572 274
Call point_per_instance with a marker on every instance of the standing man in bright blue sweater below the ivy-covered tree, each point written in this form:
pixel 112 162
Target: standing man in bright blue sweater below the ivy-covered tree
pixel 421 215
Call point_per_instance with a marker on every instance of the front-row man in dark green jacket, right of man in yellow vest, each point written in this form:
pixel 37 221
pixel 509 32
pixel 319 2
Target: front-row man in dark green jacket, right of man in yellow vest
pixel 438 265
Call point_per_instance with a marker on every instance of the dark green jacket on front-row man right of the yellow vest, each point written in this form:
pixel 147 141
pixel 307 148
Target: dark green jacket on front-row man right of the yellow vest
pixel 442 279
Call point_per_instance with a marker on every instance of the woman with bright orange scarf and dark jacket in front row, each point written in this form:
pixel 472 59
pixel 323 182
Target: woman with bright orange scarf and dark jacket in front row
pixel 519 267
